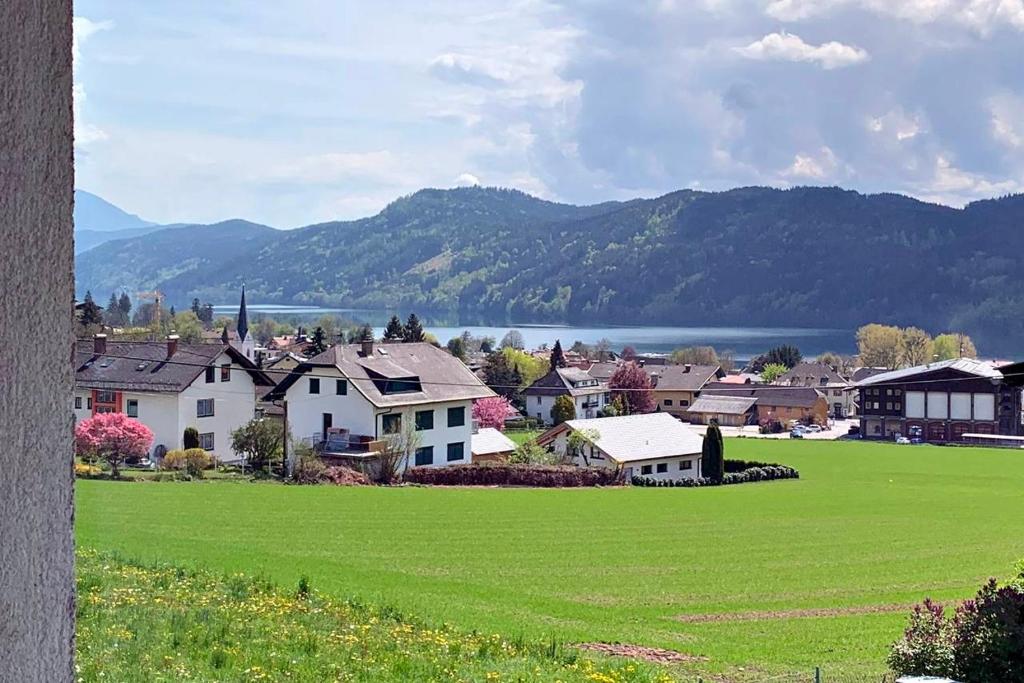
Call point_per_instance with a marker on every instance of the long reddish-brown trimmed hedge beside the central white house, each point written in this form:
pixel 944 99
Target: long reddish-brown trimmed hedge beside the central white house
pixel 497 475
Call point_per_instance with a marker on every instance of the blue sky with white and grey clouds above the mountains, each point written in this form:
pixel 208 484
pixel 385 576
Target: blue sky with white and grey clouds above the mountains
pixel 290 114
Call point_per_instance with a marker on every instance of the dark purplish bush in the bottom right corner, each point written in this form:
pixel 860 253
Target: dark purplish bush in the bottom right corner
pixel 983 642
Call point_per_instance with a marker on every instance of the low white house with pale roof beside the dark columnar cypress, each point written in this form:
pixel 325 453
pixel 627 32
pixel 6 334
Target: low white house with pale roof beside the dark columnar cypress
pixel 653 445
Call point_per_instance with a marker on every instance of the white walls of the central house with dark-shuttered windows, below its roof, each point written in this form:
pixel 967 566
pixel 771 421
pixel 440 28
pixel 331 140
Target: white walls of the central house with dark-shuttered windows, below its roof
pixel 446 425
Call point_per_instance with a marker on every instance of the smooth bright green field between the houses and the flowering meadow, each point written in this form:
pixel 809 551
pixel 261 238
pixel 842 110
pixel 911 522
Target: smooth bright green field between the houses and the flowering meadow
pixel 761 579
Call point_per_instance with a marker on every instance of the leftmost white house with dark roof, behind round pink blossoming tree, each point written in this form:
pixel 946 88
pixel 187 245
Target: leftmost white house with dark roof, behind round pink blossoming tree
pixel 169 387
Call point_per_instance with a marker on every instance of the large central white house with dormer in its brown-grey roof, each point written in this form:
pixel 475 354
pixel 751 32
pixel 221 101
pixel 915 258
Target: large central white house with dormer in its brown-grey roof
pixel 350 398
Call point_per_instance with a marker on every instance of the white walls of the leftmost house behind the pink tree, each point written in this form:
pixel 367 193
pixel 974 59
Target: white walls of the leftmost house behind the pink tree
pixel 168 414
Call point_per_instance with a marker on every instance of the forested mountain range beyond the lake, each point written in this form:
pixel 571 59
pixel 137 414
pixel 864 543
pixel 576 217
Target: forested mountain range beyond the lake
pixel 821 258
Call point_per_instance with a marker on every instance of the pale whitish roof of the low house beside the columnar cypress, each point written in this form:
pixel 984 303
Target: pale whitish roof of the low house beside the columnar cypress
pixel 631 439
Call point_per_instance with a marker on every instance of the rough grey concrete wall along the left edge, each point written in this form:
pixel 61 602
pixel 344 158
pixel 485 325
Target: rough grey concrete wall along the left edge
pixel 37 599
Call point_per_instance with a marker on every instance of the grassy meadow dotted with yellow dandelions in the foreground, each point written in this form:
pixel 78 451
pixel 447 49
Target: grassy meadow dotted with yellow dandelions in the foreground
pixel 166 624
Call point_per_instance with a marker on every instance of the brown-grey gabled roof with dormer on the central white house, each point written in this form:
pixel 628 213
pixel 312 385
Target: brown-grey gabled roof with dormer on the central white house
pixel 439 376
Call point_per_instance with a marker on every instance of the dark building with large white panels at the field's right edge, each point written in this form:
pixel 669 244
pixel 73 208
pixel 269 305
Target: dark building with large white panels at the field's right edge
pixel 946 401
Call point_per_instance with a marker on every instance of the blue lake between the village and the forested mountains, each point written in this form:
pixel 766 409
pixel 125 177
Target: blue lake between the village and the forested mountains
pixel 745 343
